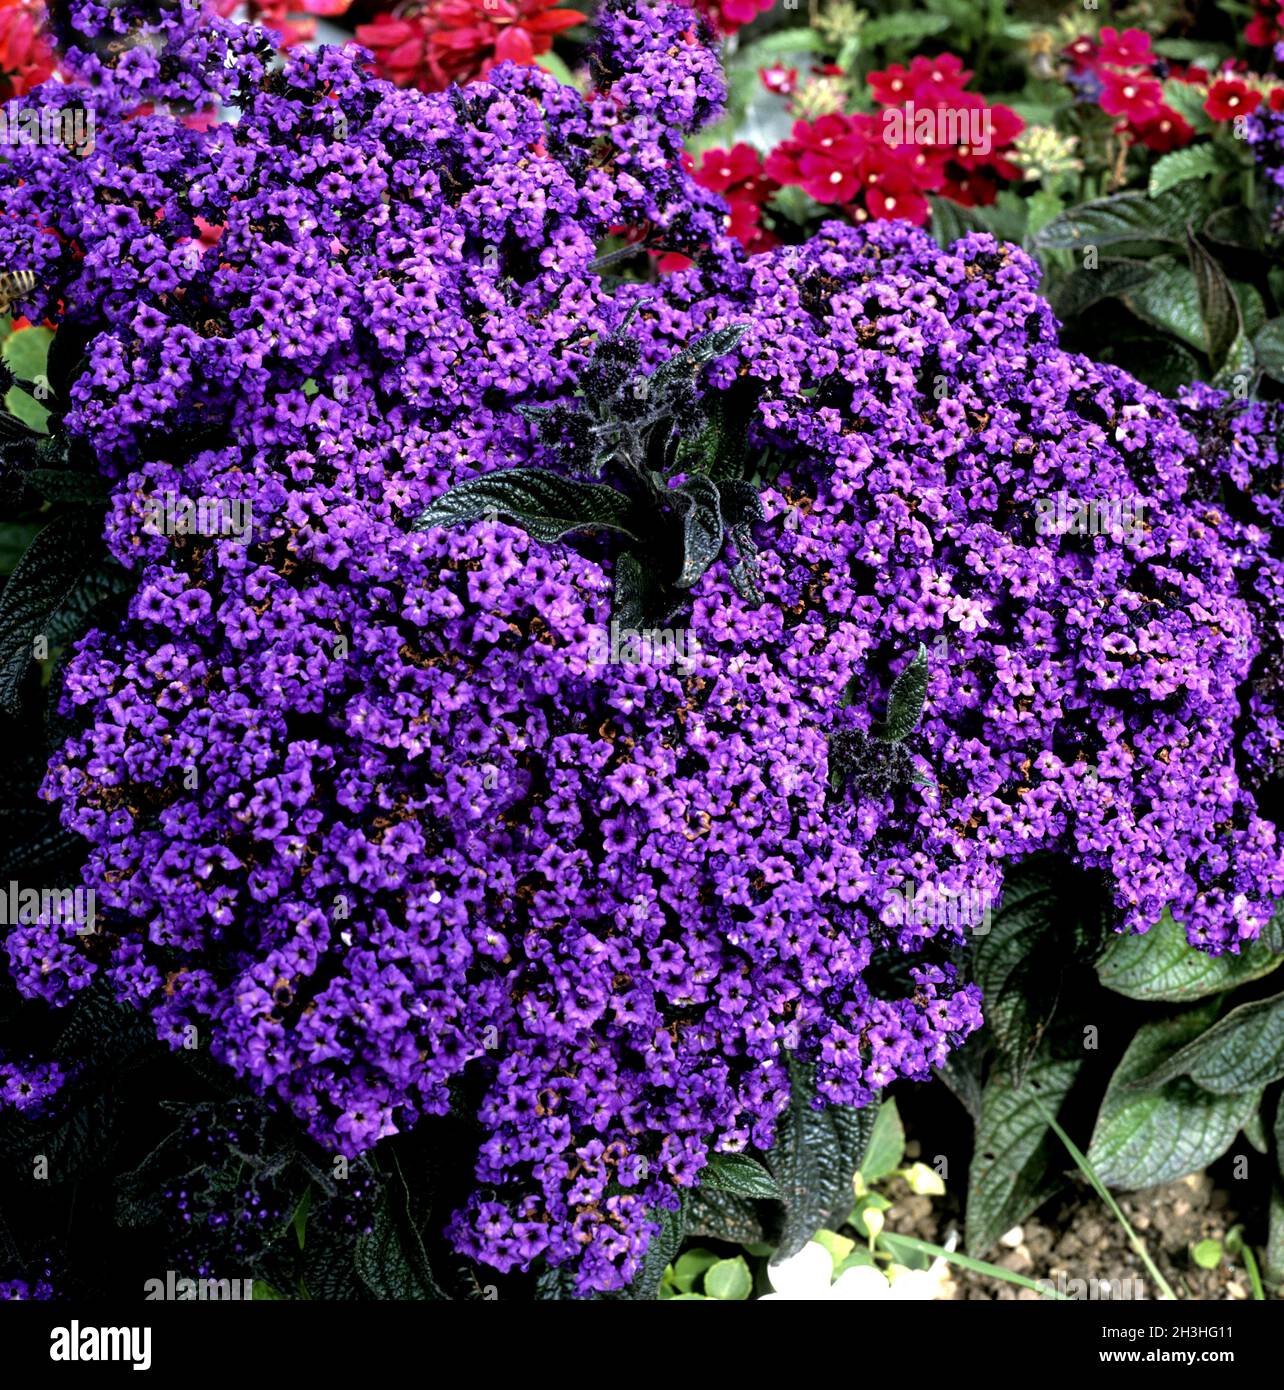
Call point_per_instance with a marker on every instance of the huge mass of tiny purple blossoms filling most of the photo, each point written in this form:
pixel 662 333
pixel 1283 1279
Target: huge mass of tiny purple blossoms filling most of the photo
pixel 370 812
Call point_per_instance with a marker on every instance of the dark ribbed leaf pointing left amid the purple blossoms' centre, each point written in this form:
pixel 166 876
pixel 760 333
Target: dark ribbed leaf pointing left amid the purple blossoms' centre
pixel 545 505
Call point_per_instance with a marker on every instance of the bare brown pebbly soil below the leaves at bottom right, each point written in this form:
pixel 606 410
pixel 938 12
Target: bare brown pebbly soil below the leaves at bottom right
pixel 1076 1238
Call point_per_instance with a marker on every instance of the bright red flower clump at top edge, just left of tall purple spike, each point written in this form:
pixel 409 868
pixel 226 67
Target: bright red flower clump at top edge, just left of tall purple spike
pixel 459 41
